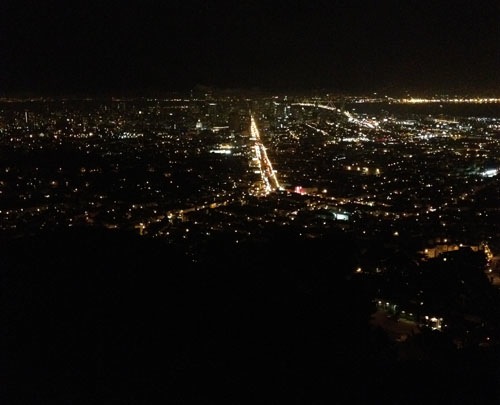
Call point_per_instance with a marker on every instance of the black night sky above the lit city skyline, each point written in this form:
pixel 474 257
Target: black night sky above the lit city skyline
pixel 125 47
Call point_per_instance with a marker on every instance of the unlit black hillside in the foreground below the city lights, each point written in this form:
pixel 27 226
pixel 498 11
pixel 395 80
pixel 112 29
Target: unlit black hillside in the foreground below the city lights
pixel 98 317
